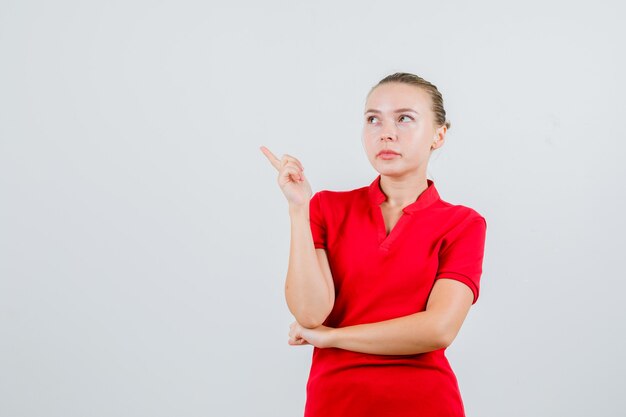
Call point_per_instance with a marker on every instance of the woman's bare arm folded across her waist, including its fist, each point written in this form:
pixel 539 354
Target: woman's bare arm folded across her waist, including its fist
pixel 425 331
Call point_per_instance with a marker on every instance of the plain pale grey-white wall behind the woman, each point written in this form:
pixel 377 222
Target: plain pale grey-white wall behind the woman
pixel 144 240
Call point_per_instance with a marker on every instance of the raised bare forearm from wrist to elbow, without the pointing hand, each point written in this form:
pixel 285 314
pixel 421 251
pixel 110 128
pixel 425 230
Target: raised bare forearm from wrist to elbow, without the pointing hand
pixel 309 287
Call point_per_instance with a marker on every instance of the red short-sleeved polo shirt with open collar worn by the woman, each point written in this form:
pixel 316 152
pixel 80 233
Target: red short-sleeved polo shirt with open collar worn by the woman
pixel 379 277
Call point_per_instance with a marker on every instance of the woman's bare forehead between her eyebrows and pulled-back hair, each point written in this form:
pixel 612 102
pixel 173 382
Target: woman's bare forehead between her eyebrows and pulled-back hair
pixel 391 96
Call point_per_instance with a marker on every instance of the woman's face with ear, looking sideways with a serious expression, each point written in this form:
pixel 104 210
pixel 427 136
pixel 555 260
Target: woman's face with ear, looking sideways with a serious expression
pixel 398 118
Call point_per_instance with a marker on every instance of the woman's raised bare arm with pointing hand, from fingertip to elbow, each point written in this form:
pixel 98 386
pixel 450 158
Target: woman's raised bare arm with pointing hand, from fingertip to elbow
pixel 309 287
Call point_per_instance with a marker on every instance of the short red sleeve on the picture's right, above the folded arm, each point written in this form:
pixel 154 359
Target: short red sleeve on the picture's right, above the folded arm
pixel 461 254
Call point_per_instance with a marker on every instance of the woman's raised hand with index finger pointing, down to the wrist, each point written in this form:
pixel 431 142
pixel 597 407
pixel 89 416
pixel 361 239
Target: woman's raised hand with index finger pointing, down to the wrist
pixel 291 179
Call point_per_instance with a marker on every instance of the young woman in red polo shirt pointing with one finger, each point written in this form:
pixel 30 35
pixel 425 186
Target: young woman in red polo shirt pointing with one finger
pixel 381 277
